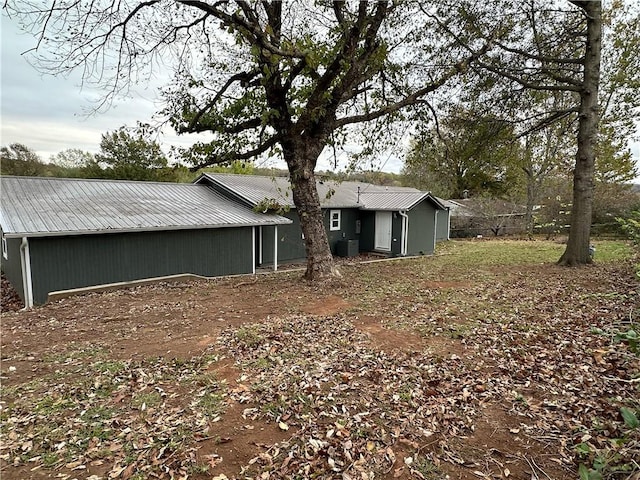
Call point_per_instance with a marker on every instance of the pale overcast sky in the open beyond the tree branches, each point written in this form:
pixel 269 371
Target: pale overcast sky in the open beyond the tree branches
pixel 49 114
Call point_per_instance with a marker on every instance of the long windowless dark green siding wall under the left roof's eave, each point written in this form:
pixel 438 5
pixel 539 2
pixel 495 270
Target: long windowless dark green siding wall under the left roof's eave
pixel 60 263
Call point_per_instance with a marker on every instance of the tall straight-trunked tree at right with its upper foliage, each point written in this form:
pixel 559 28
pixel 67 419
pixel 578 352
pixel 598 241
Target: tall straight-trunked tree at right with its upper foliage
pixel 556 48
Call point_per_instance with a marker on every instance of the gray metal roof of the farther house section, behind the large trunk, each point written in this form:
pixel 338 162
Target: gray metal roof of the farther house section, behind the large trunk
pixel 253 189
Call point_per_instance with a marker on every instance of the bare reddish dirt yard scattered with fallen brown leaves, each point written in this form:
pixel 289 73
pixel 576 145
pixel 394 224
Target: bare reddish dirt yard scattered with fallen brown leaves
pixel 444 367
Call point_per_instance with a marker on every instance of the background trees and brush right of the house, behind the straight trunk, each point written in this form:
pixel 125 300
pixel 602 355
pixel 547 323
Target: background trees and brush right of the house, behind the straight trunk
pixel 471 154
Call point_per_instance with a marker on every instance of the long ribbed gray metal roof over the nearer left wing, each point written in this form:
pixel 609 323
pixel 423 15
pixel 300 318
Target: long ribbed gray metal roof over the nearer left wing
pixel 36 206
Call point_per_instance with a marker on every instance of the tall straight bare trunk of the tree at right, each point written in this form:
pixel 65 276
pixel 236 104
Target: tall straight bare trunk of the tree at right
pixel 577 251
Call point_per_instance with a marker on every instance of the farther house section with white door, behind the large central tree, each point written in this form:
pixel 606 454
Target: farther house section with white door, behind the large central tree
pixel 358 217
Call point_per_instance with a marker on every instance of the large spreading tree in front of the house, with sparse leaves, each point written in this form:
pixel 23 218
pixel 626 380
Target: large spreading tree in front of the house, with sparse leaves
pixel 269 77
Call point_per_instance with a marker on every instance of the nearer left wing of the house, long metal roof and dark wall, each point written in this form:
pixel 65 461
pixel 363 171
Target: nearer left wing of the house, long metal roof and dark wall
pixel 60 234
